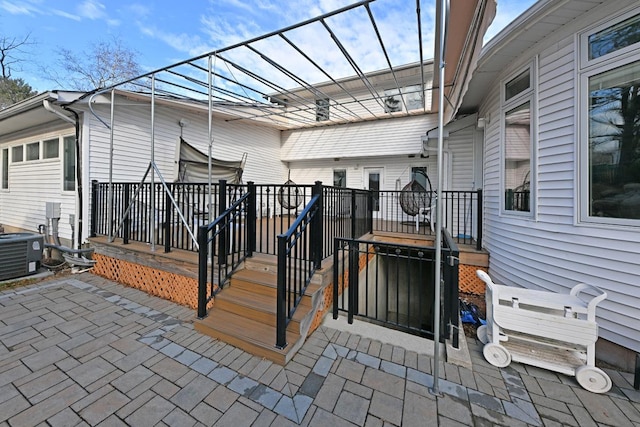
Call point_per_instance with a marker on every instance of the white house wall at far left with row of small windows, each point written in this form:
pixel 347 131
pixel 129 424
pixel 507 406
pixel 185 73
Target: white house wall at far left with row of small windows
pixel 32 183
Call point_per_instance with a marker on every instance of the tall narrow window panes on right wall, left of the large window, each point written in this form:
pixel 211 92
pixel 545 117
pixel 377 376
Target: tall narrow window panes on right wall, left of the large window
pixel 517 142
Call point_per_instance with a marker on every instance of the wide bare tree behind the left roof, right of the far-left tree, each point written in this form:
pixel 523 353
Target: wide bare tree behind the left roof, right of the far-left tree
pixel 106 63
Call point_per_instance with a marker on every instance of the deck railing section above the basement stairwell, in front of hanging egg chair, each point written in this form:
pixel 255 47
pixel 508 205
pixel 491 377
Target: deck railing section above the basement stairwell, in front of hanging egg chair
pixel 462 214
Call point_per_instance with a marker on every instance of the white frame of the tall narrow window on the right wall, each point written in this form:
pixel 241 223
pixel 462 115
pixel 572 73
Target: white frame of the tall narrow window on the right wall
pixel 528 95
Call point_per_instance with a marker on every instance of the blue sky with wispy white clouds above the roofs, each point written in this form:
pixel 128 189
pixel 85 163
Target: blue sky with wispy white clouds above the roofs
pixel 164 32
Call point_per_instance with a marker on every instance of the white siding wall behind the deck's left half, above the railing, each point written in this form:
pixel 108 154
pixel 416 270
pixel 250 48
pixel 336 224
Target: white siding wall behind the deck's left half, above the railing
pixel 132 140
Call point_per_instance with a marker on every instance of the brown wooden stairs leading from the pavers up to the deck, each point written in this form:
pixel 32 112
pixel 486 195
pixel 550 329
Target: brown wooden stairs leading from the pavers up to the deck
pixel 244 312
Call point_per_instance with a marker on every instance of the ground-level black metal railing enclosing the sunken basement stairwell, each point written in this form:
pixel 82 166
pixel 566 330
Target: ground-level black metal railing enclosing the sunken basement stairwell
pixel 394 285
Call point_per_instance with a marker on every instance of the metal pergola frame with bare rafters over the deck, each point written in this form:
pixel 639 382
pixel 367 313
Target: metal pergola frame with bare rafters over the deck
pixel 262 89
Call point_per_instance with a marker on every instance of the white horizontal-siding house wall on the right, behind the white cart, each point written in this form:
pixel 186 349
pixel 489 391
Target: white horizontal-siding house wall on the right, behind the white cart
pixel 552 249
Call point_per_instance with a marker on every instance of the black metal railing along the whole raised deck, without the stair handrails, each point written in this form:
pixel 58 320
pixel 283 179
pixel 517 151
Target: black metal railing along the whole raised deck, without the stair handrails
pixel 347 213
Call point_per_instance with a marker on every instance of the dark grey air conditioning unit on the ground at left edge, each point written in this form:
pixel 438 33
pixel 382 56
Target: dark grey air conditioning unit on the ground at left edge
pixel 20 254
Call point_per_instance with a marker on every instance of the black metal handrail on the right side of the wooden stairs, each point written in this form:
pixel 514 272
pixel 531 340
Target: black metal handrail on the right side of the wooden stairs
pixel 299 256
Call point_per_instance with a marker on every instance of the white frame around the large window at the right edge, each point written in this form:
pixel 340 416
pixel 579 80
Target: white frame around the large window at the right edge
pixel 587 69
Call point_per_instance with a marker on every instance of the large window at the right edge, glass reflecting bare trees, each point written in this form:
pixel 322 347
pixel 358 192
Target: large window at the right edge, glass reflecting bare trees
pixel 610 145
